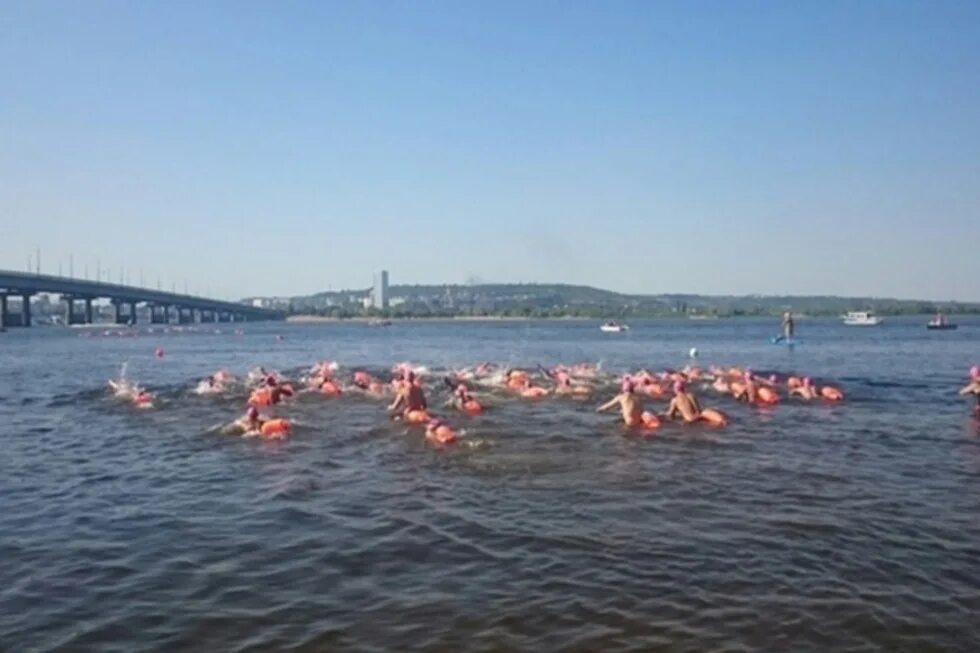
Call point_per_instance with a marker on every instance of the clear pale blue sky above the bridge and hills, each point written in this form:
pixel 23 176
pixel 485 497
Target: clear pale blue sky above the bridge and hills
pixel 283 148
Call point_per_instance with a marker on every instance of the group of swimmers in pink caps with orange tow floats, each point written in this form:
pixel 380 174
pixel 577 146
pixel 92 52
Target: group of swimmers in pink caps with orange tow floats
pixel 409 403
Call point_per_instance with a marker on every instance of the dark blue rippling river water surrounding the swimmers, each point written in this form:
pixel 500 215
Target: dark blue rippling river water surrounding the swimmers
pixel 811 528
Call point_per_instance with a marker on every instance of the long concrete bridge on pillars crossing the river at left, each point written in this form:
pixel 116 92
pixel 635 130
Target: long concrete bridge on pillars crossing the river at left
pixel 78 295
